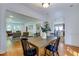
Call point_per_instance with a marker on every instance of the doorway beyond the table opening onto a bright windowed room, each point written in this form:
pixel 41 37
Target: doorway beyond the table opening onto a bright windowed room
pixel 59 30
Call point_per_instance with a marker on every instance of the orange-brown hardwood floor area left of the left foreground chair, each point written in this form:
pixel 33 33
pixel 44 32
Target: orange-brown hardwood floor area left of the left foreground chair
pixel 14 49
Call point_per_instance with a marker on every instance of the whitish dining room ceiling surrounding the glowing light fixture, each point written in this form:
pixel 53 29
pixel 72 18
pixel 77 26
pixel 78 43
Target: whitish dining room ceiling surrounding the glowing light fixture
pixel 53 6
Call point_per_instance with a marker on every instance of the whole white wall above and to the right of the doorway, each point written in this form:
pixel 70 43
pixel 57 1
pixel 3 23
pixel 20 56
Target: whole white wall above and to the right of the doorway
pixel 69 16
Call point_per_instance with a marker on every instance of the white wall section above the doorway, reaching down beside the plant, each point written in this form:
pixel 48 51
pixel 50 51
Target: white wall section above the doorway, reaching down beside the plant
pixel 55 17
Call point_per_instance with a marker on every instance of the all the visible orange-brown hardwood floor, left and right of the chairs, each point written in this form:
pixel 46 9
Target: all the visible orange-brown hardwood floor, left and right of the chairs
pixel 15 49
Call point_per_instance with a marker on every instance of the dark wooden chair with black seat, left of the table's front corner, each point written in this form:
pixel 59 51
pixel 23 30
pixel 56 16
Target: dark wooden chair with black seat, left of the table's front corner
pixel 27 51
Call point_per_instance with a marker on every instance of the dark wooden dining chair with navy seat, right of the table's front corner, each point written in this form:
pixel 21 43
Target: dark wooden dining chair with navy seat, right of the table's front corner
pixel 53 47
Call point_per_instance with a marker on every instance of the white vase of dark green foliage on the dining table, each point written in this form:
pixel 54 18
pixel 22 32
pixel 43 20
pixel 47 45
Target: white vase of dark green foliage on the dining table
pixel 45 30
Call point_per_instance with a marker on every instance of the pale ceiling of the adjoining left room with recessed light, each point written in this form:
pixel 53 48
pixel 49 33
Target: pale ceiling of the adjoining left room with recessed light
pixel 14 17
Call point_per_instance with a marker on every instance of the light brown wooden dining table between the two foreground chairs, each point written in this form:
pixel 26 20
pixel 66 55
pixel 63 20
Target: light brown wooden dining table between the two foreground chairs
pixel 39 42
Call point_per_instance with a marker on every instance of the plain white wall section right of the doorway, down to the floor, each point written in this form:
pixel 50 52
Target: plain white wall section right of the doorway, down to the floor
pixel 71 26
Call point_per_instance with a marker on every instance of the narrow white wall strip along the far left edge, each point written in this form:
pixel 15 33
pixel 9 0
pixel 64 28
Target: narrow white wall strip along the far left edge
pixel 3 38
